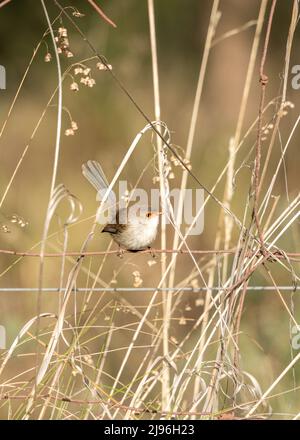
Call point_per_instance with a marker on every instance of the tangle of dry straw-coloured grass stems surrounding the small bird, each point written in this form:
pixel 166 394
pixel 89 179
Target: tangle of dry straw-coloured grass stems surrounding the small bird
pixel 100 355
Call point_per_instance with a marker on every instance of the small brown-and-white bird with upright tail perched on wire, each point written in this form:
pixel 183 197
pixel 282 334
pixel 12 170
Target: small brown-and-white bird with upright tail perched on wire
pixel 134 228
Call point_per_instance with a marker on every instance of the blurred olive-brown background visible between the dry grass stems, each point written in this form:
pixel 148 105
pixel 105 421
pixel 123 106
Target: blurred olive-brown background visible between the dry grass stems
pixel 108 122
